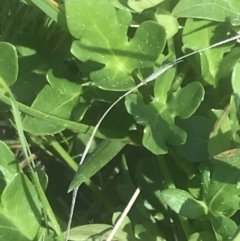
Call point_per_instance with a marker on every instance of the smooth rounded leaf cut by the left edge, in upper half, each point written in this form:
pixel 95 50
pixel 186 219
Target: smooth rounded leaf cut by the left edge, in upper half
pixel 8 63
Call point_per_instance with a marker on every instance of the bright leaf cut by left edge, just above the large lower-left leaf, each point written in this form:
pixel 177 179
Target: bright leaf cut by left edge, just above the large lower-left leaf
pixel 8 167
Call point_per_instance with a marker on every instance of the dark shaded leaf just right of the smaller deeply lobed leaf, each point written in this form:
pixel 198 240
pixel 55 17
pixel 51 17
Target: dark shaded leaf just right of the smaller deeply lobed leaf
pixel 198 129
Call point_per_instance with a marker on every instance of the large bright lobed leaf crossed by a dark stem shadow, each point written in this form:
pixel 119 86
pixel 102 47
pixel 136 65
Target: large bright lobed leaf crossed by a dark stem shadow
pixel 103 38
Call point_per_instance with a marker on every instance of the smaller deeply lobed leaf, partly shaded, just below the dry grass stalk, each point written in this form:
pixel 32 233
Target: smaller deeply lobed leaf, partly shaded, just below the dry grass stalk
pixel 158 117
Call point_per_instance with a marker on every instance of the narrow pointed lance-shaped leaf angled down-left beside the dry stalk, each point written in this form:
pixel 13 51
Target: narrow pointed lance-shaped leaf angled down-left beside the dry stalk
pixel 104 153
